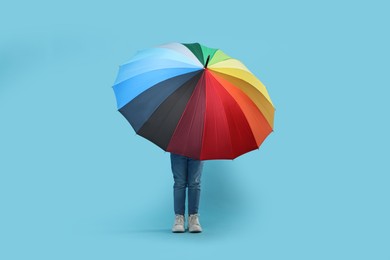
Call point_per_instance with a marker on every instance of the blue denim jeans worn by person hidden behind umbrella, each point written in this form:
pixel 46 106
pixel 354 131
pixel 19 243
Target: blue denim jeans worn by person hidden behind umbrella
pixel 186 174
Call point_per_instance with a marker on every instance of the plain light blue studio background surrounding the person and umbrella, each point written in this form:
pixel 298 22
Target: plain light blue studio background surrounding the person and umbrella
pixel 77 183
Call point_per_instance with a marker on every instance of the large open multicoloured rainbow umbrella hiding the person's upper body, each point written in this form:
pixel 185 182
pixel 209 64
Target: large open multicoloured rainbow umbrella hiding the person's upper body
pixel 195 101
